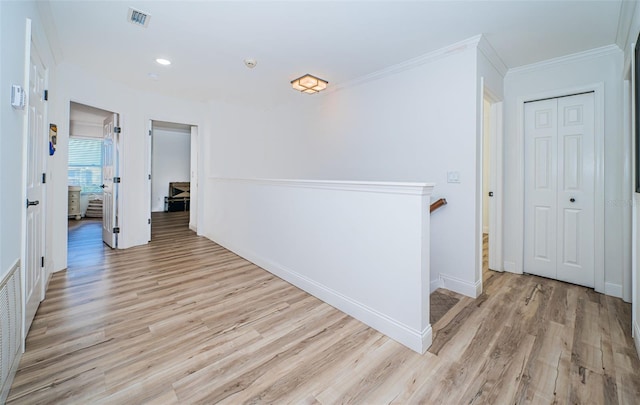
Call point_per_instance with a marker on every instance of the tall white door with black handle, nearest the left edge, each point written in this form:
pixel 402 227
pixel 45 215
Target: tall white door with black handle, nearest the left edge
pixel 36 147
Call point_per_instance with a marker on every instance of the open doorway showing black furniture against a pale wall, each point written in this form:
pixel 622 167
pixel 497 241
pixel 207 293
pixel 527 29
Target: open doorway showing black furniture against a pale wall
pixel 172 176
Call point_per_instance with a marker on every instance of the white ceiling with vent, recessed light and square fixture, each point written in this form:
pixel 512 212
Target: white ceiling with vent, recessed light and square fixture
pixel 339 41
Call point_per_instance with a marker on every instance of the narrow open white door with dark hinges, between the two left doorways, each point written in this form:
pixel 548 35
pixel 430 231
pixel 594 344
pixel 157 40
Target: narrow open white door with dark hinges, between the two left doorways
pixel 110 181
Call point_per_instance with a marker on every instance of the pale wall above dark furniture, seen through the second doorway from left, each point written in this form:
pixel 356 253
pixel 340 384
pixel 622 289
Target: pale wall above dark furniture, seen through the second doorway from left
pixel 171 161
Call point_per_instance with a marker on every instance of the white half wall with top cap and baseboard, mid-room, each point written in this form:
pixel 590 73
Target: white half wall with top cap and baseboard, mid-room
pixel 329 239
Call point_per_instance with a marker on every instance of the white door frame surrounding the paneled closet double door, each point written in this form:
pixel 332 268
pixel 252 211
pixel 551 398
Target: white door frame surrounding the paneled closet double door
pixel 599 203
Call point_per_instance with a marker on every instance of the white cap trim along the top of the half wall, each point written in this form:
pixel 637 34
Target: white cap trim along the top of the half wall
pixel 360 186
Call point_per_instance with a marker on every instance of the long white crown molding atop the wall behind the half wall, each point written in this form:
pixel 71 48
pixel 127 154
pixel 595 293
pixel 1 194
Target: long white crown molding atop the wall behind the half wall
pixel 411 63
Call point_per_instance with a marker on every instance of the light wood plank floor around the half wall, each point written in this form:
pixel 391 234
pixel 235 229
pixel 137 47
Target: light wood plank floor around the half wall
pixel 182 320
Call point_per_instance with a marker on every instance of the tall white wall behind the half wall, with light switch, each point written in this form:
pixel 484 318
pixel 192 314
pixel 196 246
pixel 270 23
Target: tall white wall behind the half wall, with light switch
pixel 412 123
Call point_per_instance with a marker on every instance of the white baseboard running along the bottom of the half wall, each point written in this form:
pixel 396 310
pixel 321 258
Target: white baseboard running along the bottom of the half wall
pixel 416 340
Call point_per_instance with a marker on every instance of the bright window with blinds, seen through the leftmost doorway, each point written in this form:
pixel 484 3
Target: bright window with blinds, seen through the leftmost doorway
pixel 85 164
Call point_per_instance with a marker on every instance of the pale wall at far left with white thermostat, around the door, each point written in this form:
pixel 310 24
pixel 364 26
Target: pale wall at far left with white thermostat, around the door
pixel 13 17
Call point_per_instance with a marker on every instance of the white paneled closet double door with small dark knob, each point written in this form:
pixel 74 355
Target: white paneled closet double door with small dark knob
pixel 559 188
